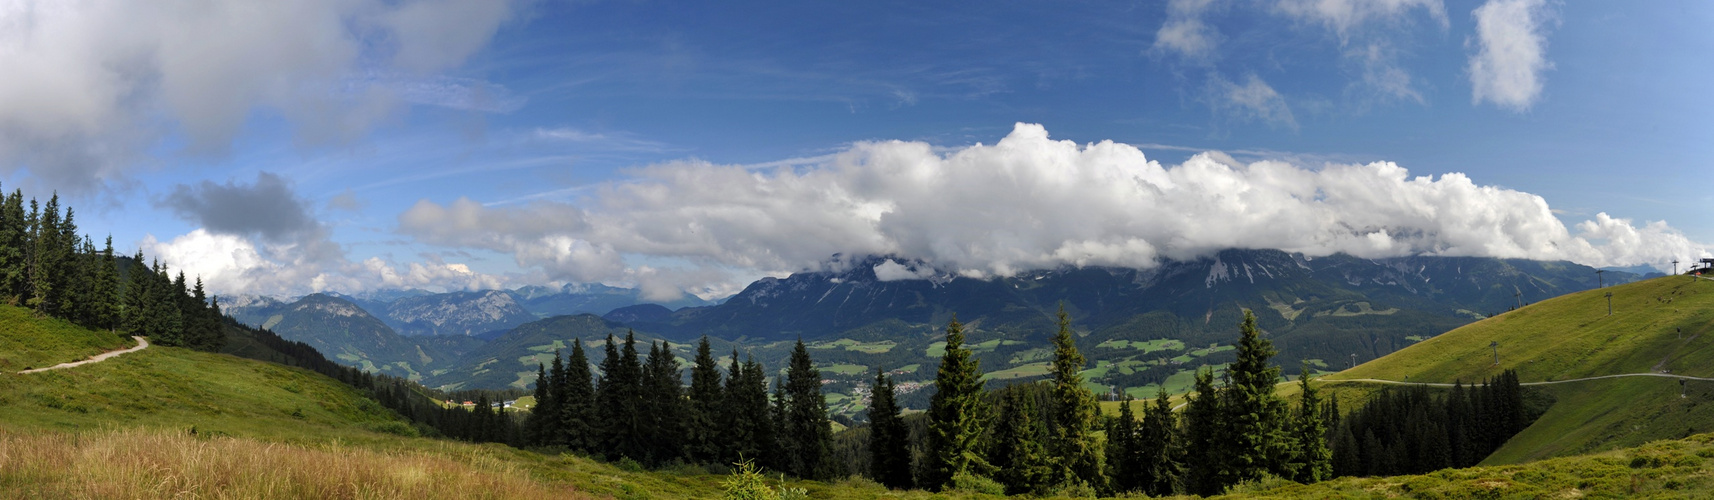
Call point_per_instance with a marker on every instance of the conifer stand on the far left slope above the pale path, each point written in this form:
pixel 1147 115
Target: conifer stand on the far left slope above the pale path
pixel 49 268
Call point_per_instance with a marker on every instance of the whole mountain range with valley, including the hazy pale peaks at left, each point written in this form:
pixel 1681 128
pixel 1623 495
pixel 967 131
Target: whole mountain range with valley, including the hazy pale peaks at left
pixel 1141 328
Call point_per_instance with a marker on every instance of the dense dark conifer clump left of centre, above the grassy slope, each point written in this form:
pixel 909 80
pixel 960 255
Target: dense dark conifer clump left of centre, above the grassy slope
pixel 640 410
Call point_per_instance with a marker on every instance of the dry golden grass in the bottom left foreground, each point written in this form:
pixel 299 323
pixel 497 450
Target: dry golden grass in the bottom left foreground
pixel 169 465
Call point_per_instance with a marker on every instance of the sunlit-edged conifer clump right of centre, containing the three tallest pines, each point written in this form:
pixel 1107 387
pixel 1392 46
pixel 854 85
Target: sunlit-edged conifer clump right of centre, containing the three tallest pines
pixel 1045 437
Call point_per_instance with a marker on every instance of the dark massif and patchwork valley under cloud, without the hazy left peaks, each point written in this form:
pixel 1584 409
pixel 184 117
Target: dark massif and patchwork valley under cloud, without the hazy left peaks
pixel 1141 330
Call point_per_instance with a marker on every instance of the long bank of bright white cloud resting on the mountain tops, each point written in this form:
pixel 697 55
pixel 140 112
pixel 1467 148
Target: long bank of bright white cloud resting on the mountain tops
pixel 1031 203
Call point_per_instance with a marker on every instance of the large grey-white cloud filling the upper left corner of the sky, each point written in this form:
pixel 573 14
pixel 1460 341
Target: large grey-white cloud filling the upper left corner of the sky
pixel 92 86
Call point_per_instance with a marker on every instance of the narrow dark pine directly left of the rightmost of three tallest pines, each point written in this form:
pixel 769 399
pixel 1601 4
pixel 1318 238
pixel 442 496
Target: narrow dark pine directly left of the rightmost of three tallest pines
pixel 1204 437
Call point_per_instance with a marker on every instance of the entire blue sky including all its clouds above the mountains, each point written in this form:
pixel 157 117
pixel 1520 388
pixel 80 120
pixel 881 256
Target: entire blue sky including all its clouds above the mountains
pixel 695 146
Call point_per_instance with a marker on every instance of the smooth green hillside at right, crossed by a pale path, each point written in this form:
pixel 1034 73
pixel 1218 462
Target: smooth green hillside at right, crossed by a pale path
pixel 1658 326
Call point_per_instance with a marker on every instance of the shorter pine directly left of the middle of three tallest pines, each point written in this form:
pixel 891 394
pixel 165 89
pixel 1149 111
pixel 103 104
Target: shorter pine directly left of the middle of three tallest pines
pixel 1019 458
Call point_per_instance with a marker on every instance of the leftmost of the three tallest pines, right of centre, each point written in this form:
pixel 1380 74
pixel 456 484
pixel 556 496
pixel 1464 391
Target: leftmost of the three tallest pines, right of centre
pixel 957 415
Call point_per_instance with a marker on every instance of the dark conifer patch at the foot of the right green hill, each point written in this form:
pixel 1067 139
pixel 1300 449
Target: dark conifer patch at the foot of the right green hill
pixel 1417 431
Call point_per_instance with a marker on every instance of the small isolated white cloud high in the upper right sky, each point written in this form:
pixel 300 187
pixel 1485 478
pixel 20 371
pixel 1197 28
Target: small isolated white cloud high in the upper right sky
pixel 1511 54
